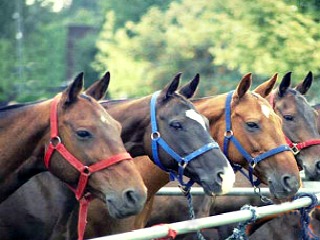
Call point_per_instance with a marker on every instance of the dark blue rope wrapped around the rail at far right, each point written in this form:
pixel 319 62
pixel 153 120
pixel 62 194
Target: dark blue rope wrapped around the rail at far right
pixel 306 232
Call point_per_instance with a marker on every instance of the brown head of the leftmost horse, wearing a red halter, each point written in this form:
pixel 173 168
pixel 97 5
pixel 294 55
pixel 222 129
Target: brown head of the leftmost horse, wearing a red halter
pixel 91 135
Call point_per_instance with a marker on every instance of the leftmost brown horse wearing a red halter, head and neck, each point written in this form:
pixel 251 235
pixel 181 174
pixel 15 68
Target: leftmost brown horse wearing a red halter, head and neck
pixel 72 131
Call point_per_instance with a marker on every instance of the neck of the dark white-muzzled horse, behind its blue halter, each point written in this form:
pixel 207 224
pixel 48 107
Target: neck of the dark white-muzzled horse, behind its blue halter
pixel 134 117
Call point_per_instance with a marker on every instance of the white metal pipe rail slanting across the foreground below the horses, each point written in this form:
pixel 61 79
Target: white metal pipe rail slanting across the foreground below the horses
pixel 208 222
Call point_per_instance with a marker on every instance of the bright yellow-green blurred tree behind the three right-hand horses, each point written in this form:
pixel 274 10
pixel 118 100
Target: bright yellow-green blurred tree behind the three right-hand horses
pixel 220 40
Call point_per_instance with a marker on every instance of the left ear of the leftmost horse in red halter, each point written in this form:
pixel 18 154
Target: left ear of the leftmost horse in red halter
pixel 70 95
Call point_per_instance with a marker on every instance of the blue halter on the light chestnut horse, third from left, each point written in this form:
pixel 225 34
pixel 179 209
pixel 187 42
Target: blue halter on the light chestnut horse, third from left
pixel 253 161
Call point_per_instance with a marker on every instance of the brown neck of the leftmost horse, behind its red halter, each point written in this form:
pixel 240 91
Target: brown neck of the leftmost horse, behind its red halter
pixel 22 129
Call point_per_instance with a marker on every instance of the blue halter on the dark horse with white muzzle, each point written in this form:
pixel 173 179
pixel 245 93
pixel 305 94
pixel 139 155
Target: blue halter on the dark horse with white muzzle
pixel 182 161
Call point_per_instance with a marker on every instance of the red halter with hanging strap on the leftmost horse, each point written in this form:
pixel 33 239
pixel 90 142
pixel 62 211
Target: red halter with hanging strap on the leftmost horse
pixel 56 144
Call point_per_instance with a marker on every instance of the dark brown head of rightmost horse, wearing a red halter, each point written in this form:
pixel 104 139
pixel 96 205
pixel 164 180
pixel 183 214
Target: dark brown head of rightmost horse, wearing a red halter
pixel 299 123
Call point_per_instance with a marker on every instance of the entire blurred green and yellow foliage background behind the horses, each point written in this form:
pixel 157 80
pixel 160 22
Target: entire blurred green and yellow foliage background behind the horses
pixel 145 43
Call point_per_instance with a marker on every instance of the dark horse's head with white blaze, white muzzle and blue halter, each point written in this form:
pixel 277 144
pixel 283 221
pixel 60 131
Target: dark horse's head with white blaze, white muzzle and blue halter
pixel 185 131
